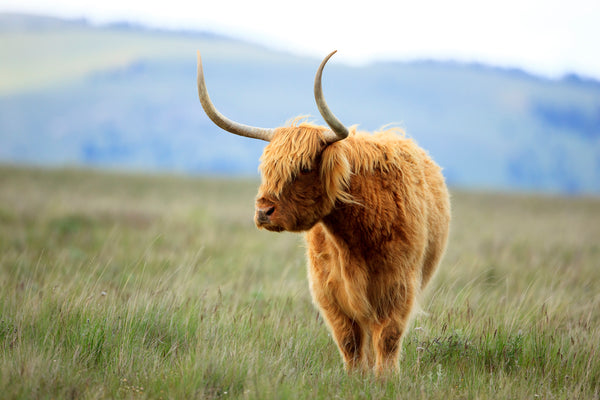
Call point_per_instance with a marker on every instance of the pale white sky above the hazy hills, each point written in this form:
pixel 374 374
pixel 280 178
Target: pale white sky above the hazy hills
pixel 548 37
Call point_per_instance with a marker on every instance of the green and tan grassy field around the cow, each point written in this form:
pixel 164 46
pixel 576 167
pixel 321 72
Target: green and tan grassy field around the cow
pixel 124 286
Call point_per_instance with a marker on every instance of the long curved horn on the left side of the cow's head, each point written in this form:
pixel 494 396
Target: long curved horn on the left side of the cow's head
pixel 223 122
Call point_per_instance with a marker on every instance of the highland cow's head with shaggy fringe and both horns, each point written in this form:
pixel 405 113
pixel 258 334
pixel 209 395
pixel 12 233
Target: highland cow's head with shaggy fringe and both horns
pixel 302 173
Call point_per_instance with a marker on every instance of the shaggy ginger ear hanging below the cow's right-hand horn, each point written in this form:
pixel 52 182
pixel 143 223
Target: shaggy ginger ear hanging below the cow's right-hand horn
pixel 335 172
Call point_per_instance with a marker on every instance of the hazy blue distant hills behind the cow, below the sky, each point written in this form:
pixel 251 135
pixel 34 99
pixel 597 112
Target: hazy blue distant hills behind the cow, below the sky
pixel 124 96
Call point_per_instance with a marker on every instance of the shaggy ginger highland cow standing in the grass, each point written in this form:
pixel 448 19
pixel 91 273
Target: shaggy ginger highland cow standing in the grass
pixel 376 212
